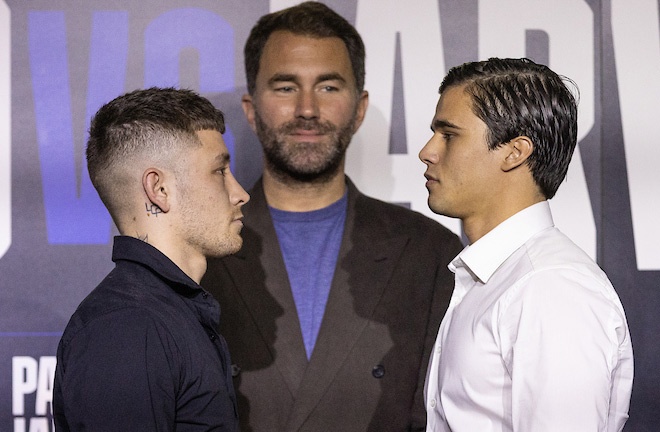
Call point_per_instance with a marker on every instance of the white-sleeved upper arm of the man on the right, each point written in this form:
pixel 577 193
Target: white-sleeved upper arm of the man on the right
pixel 563 338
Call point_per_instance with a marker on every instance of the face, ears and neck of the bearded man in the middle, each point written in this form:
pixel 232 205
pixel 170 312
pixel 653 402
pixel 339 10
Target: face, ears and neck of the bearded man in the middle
pixel 305 109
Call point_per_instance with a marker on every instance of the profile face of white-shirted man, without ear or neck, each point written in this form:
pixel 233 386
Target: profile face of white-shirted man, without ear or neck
pixel 462 173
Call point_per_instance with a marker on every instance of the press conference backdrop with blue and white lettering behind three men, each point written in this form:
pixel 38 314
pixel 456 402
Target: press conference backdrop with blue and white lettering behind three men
pixel 60 60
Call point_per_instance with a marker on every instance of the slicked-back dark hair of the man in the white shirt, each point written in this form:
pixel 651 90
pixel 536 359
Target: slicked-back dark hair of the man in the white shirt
pixel 518 97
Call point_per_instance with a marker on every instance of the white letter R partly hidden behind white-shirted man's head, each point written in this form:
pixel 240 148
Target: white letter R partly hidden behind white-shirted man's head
pixel 570 28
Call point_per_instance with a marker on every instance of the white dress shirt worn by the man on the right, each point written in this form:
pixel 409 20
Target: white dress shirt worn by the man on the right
pixel 534 339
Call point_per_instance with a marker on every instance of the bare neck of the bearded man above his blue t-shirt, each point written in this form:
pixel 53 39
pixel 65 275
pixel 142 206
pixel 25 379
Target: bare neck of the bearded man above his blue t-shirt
pixel 303 196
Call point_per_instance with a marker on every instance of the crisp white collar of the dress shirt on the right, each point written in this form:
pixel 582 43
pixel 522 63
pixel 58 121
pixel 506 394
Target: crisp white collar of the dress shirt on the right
pixel 483 257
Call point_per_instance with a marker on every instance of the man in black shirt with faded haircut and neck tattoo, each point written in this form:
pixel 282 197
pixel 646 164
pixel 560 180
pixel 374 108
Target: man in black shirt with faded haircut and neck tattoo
pixel 141 351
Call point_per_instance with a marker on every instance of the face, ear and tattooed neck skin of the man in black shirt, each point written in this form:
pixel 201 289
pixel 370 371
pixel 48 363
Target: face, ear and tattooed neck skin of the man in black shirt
pixel 191 210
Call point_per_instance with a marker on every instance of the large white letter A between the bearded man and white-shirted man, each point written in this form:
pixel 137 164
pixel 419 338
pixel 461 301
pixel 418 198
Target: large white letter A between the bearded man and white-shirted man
pixel 398 177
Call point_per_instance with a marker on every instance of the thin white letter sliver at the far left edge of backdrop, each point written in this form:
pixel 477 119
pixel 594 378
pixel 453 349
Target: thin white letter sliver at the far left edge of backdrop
pixel 5 128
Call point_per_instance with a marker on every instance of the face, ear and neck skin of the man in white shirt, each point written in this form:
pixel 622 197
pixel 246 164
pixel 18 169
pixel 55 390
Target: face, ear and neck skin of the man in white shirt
pixel 465 179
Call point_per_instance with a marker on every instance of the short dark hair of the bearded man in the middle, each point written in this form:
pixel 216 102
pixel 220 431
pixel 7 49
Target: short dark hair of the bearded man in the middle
pixel 309 19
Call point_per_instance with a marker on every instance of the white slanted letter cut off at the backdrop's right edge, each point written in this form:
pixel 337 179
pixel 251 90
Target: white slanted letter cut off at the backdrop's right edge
pixel 636 39
